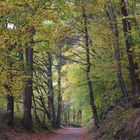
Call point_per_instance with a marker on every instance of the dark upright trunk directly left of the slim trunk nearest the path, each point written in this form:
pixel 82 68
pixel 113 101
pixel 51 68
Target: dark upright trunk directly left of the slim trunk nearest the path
pixel 50 91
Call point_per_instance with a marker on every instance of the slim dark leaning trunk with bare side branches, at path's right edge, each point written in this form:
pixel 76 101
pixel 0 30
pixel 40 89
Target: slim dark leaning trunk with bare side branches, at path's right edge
pixel 90 89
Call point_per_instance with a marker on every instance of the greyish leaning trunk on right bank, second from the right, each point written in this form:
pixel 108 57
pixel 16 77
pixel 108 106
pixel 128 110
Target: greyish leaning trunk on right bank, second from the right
pixel 114 28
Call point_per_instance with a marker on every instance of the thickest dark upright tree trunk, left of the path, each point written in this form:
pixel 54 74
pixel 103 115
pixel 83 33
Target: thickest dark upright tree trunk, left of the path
pixel 28 90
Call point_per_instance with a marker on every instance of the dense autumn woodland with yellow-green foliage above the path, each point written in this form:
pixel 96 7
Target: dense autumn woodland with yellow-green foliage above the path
pixel 68 62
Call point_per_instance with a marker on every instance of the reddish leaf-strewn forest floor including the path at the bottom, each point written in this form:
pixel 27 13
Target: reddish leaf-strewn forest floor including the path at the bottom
pixel 67 133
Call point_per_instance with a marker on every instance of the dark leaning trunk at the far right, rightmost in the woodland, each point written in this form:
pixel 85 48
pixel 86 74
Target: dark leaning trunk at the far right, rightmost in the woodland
pixel 129 49
